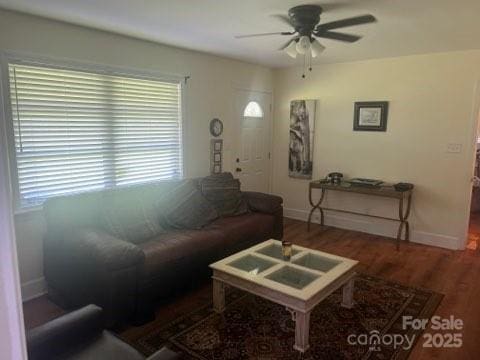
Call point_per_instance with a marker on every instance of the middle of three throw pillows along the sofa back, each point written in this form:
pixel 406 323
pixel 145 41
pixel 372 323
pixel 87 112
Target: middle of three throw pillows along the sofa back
pixel 184 207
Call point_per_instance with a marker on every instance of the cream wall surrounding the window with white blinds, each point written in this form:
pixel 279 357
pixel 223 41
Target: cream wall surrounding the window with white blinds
pixel 209 94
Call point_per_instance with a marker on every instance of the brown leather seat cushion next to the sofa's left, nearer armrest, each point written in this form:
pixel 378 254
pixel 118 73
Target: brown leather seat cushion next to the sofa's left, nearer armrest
pixel 175 252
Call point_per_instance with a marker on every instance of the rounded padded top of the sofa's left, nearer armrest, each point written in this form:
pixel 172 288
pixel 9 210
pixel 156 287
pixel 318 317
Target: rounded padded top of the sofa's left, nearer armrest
pixel 105 250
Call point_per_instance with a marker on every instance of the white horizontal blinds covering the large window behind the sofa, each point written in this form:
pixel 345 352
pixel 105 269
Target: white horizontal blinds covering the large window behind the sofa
pixel 77 131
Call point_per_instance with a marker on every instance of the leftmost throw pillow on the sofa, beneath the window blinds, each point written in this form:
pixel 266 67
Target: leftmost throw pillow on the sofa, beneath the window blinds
pixel 130 216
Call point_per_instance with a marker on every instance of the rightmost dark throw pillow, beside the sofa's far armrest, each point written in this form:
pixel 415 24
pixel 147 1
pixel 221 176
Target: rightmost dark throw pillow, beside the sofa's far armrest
pixel 223 191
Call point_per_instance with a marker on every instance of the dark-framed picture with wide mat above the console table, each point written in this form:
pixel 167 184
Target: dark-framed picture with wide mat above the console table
pixel 370 116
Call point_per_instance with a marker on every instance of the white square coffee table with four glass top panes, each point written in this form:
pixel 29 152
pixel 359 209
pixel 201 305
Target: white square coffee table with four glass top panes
pixel 299 284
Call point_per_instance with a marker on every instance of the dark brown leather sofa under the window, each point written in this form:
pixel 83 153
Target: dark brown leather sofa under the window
pixel 84 264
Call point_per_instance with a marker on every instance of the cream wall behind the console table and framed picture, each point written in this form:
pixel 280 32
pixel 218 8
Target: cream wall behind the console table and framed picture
pixel 431 100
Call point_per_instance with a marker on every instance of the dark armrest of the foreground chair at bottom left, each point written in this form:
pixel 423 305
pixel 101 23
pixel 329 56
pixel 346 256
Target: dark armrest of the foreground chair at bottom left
pixel 66 331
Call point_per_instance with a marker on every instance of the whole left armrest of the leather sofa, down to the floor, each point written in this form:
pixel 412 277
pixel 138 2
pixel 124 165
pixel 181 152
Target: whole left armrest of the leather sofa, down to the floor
pixel 89 266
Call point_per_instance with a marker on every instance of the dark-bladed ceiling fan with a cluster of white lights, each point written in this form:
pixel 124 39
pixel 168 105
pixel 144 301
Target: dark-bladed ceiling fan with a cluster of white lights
pixel 305 21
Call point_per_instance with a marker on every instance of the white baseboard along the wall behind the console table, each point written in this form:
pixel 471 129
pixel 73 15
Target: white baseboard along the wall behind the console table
pixel 377 227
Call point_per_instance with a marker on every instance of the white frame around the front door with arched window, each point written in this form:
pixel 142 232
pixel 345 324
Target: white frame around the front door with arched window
pixel 237 126
